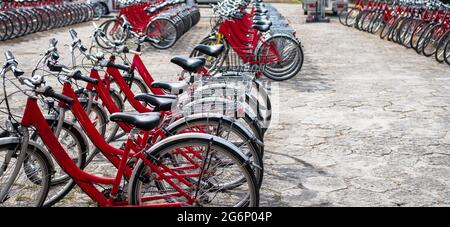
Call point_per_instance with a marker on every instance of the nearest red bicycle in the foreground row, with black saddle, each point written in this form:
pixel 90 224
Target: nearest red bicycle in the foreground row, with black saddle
pixel 160 169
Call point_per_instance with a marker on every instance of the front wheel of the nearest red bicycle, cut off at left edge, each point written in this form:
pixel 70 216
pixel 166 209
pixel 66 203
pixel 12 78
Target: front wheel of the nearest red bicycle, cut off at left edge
pixel 32 182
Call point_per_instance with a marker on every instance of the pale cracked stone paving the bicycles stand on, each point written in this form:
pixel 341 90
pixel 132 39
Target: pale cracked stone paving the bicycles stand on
pixel 365 123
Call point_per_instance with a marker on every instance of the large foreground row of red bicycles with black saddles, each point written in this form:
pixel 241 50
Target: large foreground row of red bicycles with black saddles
pixel 195 142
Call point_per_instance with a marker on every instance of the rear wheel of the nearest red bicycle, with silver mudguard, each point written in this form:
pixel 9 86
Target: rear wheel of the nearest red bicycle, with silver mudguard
pixel 208 164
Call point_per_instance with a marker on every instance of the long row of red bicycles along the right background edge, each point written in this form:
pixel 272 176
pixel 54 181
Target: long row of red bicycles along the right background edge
pixel 422 26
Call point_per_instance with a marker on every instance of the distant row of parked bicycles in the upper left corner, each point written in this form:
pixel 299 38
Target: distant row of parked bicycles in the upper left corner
pixel 19 18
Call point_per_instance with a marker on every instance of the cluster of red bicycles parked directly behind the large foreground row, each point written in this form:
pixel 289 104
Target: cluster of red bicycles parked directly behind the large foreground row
pixel 259 41
